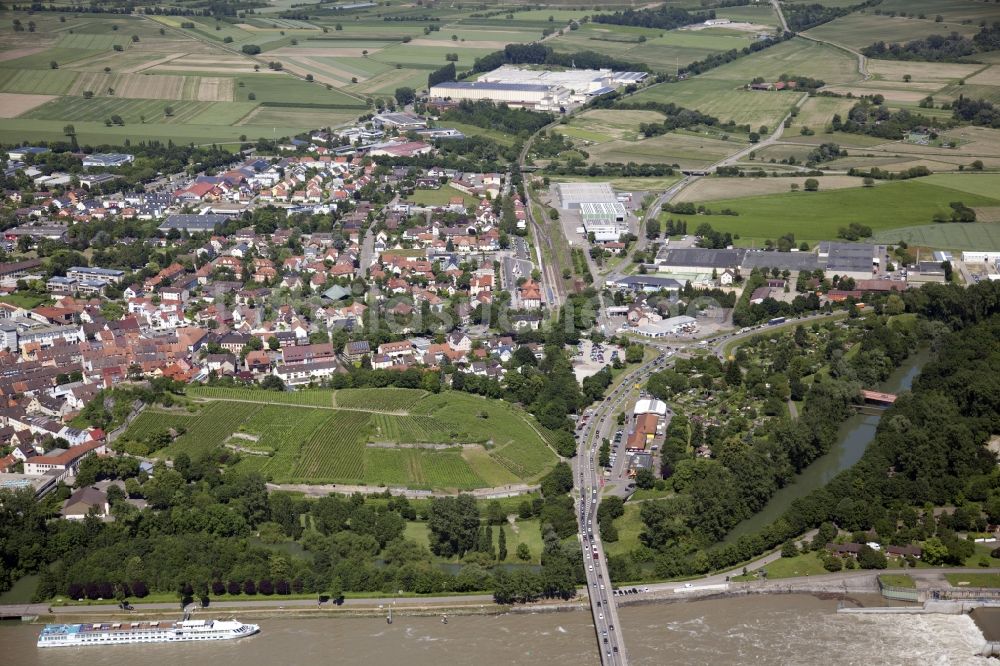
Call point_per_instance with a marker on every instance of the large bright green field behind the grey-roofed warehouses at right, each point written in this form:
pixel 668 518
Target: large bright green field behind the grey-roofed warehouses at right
pixel 815 216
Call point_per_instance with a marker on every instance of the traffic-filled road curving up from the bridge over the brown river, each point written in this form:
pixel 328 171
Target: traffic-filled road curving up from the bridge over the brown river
pixel 588 477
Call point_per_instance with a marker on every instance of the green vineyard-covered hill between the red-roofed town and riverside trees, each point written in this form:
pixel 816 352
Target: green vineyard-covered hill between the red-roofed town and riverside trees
pixel 374 437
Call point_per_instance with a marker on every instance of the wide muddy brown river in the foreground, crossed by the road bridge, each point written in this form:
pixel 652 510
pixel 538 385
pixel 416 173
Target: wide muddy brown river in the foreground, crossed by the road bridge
pixel 779 629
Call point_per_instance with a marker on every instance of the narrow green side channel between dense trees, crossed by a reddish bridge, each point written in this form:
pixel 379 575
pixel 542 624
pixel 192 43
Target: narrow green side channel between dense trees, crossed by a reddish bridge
pixel 854 436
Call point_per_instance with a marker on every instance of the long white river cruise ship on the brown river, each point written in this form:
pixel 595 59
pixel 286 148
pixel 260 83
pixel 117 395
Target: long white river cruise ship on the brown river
pixel 120 633
